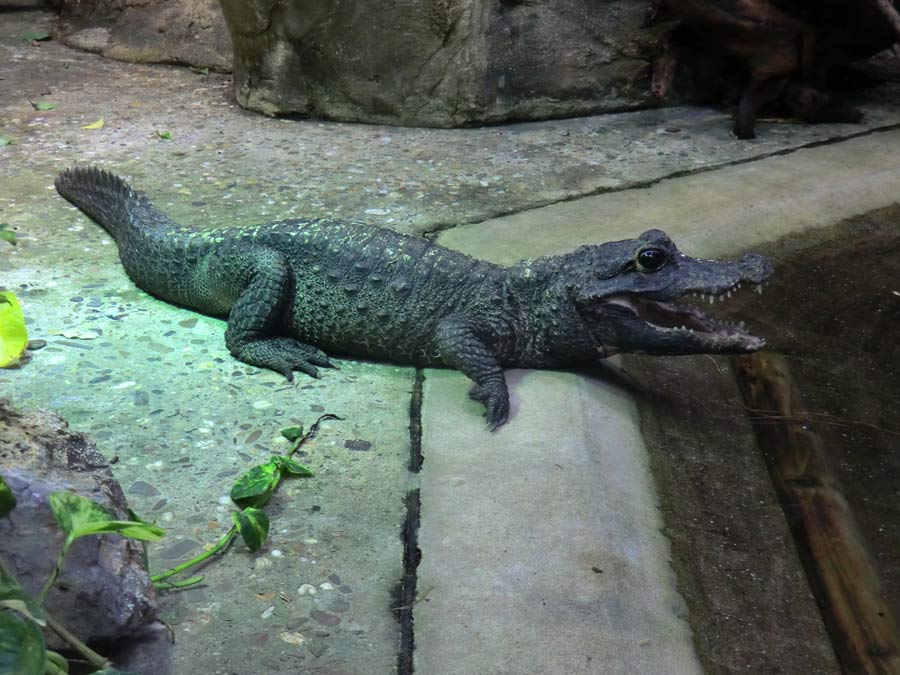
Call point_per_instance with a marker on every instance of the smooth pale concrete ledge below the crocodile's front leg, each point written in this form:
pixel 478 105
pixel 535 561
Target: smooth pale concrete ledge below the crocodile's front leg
pixel 541 543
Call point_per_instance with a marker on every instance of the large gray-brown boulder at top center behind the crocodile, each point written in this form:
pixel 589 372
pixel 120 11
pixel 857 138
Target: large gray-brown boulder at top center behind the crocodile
pixel 439 62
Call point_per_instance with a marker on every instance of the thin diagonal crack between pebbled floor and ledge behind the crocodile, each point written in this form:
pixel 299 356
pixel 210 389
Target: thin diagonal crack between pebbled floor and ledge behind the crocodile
pixel 438 228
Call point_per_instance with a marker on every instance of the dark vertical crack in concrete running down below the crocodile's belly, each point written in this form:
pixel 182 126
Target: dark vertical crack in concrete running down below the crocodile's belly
pixel 405 593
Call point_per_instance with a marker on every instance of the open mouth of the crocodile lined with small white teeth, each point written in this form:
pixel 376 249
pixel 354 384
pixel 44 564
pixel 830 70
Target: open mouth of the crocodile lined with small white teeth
pixel 689 321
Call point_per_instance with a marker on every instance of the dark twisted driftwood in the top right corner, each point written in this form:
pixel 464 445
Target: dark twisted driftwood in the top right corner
pixel 773 52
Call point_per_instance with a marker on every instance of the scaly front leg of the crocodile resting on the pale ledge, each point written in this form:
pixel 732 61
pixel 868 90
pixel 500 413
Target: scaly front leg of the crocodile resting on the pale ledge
pixel 461 348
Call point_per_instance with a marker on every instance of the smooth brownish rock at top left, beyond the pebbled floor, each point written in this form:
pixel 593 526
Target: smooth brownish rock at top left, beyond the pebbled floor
pixel 191 32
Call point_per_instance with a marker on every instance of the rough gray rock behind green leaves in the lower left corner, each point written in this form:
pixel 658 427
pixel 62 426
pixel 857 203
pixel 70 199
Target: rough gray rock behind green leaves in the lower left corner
pixel 104 592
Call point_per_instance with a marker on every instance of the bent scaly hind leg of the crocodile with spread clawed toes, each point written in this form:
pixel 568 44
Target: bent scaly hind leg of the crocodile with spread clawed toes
pixel 258 281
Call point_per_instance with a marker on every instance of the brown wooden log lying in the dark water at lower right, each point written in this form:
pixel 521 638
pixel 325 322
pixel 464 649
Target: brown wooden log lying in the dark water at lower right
pixel 841 571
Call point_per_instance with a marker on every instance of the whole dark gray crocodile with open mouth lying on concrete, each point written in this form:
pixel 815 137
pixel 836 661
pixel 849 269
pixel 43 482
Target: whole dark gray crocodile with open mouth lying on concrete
pixel 294 291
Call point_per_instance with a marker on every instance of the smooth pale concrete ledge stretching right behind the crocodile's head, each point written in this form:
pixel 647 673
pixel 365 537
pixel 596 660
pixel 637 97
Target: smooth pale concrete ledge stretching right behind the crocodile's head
pixel 710 214
